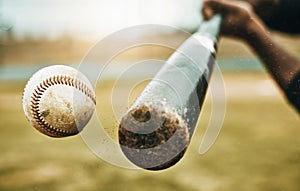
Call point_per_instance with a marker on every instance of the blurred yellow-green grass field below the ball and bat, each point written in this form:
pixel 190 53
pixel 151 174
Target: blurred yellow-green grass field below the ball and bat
pixel 258 149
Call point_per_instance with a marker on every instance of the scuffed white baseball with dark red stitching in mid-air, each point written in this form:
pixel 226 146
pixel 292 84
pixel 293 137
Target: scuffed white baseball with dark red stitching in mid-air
pixel 58 101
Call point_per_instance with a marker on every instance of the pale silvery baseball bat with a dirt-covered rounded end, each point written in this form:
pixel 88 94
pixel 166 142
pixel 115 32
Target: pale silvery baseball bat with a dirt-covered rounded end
pixel 156 130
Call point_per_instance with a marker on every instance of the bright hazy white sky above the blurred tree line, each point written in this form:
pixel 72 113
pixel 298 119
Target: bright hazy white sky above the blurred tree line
pixel 93 19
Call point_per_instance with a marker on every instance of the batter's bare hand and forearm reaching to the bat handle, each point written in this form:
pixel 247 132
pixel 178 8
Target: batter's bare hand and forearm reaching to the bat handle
pixel 241 21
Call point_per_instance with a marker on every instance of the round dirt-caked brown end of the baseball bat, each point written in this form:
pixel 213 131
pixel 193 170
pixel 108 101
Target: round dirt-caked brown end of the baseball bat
pixel 153 137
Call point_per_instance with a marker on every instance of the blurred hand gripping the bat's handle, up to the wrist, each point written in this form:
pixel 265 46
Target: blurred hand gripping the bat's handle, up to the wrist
pixel 239 19
